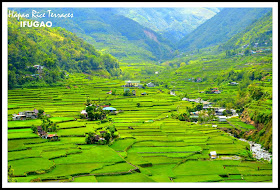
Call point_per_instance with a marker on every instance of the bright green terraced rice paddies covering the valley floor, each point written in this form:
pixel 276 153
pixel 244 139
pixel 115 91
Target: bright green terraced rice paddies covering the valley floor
pixel 152 146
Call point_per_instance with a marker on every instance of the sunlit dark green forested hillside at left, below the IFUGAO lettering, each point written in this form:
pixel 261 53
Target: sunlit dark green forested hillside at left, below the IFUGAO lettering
pixel 56 49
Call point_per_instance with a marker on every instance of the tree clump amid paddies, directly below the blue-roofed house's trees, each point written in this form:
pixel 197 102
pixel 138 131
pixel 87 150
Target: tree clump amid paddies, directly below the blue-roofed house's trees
pixel 102 135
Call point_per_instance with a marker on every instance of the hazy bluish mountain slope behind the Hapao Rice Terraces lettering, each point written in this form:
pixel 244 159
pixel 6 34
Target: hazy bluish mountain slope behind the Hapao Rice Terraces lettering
pixel 118 35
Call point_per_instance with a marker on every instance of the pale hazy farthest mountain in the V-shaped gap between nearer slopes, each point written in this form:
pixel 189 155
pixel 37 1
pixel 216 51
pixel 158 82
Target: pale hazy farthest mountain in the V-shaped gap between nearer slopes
pixel 172 23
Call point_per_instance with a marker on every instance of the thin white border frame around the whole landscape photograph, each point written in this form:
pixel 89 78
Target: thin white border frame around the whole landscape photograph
pixel 5 6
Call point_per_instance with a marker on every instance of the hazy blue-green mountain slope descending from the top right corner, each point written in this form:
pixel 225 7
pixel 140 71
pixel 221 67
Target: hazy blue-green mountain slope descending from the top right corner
pixel 221 27
